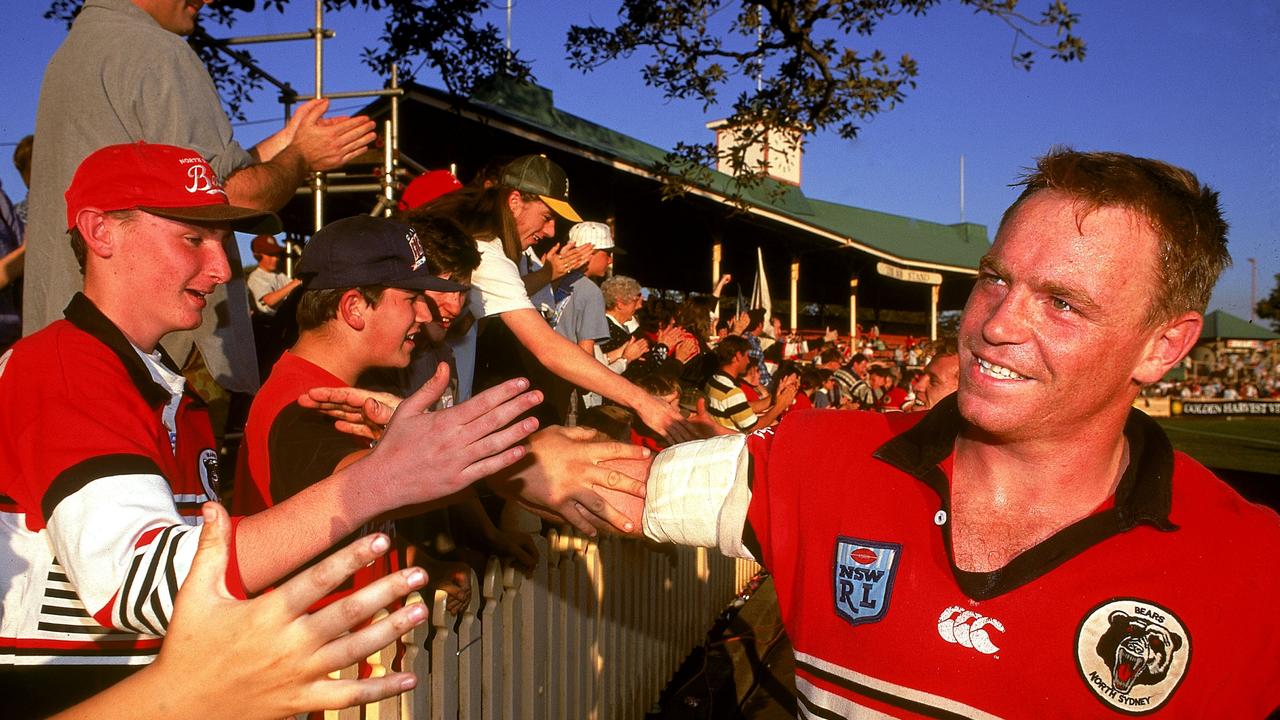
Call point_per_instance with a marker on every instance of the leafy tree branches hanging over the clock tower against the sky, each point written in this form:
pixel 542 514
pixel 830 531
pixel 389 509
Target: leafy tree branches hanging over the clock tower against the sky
pixel 812 75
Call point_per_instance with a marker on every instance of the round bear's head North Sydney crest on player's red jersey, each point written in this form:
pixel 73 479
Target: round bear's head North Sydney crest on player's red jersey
pixel 1132 654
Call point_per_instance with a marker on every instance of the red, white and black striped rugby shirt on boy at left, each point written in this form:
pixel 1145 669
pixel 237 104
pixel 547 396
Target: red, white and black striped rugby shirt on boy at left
pixel 104 464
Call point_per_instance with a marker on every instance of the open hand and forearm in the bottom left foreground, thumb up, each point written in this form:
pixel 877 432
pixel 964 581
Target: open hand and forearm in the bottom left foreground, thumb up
pixel 266 658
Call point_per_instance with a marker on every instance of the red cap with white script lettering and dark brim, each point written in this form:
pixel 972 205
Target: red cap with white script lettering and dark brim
pixel 162 180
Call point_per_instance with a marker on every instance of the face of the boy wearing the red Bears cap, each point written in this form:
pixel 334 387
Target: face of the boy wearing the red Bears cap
pixel 171 268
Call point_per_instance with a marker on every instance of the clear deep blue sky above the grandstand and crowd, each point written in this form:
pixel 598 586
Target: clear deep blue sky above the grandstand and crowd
pixel 1191 83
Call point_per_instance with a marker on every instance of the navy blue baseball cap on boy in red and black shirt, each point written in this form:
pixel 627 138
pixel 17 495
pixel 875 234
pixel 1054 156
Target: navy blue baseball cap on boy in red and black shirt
pixel 362 252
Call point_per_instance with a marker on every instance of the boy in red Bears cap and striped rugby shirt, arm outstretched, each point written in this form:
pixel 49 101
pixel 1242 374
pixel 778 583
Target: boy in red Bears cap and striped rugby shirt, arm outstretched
pixel 106 458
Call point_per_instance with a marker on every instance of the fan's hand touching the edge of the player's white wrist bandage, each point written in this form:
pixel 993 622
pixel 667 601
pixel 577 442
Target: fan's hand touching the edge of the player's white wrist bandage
pixel 564 477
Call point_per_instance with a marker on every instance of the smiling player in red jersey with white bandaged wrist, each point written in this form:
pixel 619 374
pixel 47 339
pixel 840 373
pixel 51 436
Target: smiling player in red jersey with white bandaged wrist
pixel 1032 546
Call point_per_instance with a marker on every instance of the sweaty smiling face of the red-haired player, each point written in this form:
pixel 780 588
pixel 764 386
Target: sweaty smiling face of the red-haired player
pixel 1053 338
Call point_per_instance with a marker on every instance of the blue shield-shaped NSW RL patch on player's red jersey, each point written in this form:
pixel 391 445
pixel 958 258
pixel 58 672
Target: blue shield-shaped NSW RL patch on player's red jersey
pixel 865 578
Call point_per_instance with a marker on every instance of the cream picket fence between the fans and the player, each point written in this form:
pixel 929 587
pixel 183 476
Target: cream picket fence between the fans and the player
pixel 596 634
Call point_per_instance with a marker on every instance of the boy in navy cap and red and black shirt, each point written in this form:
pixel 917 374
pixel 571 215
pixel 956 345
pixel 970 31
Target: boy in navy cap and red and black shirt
pixel 364 303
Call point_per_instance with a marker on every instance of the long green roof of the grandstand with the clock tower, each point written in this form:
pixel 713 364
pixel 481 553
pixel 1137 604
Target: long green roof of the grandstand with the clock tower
pixel 906 239
